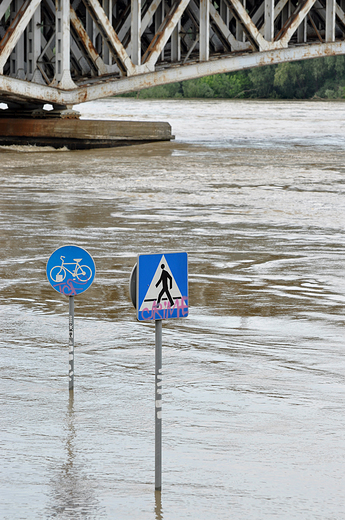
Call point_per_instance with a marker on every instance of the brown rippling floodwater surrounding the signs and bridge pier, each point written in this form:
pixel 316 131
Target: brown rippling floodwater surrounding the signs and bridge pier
pixel 253 379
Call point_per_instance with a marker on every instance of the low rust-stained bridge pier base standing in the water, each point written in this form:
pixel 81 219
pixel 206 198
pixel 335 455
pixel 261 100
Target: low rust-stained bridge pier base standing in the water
pixel 31 124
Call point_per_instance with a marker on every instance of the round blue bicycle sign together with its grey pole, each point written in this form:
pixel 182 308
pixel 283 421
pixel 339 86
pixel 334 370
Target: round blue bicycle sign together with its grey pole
pixel 70 271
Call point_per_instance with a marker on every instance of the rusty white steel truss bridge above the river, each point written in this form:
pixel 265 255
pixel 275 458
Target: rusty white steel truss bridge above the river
pixel 65 52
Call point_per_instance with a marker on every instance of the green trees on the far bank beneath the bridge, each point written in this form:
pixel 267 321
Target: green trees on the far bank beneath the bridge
pixel 321 78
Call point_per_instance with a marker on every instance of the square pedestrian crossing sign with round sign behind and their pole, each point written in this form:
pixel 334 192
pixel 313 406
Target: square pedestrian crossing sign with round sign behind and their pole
pixel 158 288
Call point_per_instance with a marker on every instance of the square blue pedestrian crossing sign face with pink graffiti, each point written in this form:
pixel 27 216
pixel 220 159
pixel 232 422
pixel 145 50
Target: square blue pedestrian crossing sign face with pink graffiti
pixel 162 286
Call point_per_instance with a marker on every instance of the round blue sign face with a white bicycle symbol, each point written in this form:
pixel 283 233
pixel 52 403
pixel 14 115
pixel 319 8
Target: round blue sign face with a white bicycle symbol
pixel 70 270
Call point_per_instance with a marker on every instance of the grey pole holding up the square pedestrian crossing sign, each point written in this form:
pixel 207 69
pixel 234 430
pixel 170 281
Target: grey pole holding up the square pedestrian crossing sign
pixel 158 407
